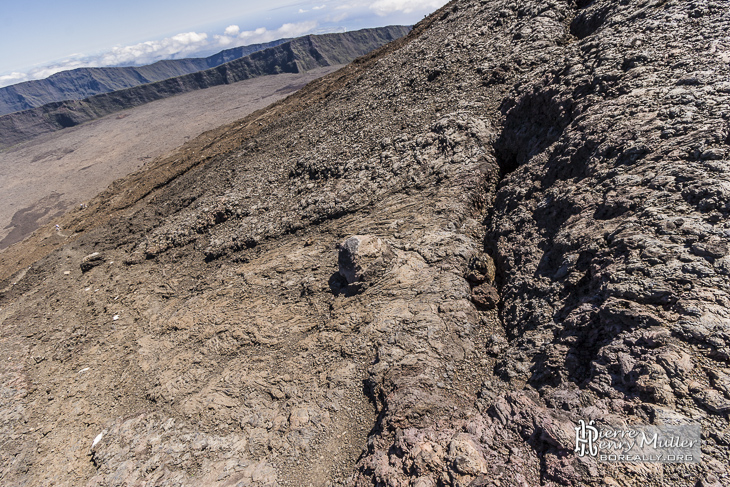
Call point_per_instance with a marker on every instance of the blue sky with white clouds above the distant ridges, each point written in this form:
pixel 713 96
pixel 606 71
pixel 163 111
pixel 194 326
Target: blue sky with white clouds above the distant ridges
pixel 41 37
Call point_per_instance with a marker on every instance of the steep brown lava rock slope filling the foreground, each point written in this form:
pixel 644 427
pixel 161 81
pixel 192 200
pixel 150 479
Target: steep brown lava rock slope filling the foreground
pixel 420 270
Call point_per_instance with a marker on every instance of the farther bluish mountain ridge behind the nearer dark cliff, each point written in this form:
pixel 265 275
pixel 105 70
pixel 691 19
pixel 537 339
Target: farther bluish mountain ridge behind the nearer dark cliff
pixel 80 83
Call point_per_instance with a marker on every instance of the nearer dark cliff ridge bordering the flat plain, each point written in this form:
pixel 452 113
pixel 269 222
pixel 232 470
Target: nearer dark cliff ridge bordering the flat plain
pixel 296 56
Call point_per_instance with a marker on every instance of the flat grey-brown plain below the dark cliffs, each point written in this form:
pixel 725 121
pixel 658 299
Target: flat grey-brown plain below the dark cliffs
pixel 43 178
